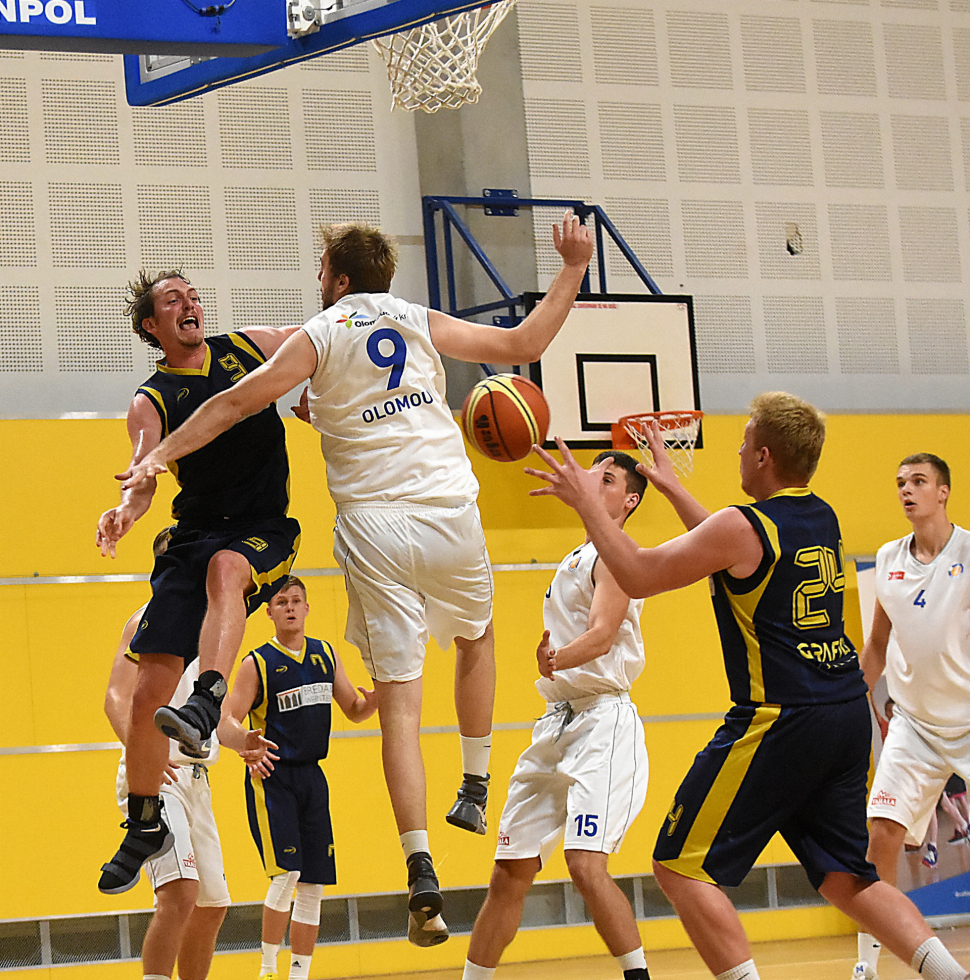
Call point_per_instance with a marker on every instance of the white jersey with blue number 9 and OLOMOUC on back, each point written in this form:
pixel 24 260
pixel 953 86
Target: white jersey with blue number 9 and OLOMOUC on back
pixel 377 398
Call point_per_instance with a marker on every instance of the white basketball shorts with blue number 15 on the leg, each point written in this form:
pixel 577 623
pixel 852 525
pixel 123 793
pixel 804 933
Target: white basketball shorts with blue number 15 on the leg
pixel 585 780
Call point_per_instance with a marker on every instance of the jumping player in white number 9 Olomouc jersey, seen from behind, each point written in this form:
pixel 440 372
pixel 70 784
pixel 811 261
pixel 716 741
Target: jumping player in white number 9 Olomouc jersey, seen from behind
pixel 408 534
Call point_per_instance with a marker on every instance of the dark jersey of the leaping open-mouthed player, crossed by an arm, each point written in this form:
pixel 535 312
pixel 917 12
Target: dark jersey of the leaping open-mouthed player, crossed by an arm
pixel 242 476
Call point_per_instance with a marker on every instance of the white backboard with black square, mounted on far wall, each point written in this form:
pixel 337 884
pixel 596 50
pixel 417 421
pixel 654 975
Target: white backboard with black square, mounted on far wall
pixel 617 354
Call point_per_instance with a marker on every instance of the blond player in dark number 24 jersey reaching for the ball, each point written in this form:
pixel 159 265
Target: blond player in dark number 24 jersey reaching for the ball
pixel 793 753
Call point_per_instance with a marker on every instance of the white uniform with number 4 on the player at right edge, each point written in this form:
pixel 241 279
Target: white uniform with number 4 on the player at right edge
pixel 928 677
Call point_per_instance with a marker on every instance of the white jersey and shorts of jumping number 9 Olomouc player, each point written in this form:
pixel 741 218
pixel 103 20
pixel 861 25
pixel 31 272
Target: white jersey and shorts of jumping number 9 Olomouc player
pixel 408 534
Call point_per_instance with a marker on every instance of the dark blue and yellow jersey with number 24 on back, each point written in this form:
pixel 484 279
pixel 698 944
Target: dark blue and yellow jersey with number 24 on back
pixel 781 629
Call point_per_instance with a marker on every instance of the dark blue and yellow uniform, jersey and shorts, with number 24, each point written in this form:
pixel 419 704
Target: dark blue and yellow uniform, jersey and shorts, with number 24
pixel 793 753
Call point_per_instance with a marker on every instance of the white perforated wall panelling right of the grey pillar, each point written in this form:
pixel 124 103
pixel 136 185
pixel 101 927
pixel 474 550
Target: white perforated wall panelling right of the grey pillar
pixel 802 168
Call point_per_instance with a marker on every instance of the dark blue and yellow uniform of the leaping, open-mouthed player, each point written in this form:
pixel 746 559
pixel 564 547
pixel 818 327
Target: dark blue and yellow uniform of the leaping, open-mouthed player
pixel 233 496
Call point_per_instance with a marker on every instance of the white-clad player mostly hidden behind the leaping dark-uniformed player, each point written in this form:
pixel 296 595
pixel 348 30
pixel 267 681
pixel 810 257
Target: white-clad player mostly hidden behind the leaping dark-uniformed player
pixel 191 896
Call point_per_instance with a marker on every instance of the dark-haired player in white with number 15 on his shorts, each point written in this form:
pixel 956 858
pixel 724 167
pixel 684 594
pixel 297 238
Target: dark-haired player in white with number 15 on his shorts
pixel 585 773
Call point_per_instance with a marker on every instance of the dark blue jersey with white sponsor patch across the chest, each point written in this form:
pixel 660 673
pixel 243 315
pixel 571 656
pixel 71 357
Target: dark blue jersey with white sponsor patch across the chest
pixel 292 705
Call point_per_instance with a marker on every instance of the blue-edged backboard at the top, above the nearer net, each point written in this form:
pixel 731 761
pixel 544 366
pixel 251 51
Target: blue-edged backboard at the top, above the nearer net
pixel 344 23
